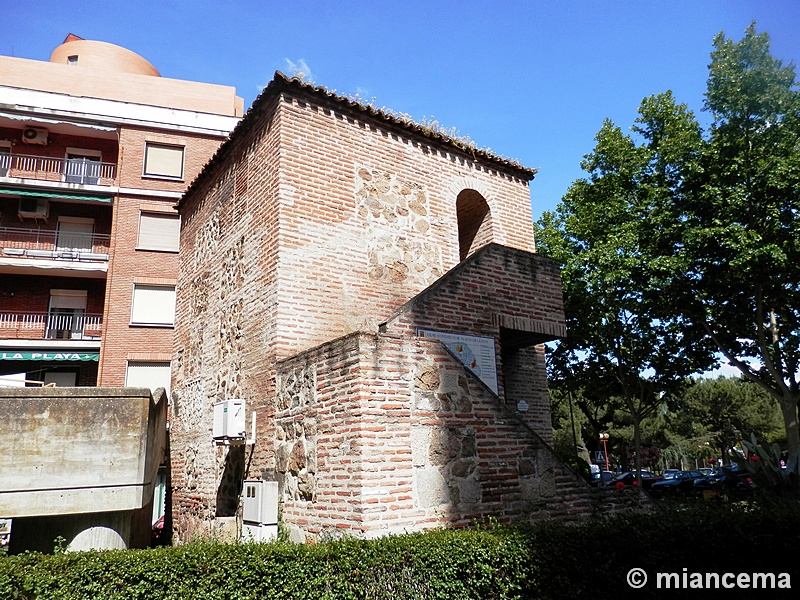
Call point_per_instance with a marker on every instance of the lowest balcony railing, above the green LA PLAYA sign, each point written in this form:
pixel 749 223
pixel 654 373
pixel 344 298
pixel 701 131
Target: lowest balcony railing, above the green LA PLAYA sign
pixel 58 324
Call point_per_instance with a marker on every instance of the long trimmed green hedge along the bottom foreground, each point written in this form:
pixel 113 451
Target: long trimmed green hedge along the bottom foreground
pixel 549 561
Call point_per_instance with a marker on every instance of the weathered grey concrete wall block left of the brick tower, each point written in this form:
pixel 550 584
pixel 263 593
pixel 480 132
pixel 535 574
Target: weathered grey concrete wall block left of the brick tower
pixel 79 450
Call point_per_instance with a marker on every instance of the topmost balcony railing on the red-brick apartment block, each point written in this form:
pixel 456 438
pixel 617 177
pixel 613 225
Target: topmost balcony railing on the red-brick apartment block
pixel 82 170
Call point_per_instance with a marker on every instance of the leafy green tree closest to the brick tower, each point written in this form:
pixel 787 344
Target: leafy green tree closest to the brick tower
pixel 622 342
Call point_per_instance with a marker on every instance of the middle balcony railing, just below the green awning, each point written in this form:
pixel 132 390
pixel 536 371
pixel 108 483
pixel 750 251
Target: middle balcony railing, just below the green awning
pixel 52 244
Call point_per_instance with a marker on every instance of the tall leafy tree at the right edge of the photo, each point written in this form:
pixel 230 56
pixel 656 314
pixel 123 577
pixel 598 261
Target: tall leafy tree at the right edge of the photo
pixel 726 251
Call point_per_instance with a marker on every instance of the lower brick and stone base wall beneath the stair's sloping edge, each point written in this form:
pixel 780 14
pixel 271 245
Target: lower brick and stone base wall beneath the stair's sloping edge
pixel 381 434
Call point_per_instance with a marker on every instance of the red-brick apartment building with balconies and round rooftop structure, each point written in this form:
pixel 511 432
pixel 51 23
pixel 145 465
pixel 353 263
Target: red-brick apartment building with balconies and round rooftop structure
pixel 96 148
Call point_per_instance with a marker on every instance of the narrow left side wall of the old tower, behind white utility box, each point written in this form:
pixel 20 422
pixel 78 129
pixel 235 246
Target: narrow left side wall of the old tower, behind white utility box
pixel 226 322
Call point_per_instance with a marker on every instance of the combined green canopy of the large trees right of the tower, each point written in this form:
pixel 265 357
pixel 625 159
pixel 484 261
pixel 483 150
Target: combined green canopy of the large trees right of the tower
pixel 682 243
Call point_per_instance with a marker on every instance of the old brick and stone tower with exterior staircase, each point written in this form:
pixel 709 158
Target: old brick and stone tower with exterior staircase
pixel 370 289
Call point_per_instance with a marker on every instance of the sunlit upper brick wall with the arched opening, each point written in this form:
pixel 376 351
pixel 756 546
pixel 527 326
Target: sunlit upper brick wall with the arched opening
pixel 369 219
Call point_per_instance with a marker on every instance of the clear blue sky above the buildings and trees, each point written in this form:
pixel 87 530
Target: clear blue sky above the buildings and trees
pixel 531 81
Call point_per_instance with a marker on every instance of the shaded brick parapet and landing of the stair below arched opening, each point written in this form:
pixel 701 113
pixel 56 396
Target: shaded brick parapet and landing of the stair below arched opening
pixel 511 296
